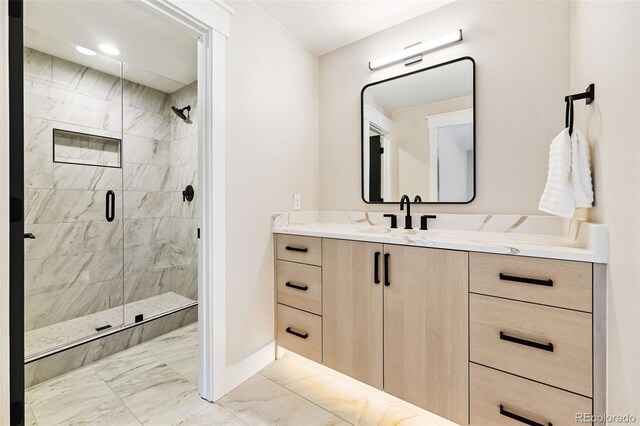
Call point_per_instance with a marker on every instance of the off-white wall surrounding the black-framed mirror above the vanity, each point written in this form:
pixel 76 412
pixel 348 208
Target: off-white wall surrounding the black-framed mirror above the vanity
pixel 521 51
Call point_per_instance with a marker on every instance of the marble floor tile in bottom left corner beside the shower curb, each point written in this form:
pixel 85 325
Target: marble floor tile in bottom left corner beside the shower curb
pixel 79 397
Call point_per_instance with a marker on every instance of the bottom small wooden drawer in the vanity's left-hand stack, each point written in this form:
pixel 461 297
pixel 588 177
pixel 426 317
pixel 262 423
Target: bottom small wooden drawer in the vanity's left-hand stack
pixel 300 332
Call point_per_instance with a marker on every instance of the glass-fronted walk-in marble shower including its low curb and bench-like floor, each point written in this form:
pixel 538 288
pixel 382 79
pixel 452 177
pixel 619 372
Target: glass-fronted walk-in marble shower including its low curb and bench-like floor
pixel 114 260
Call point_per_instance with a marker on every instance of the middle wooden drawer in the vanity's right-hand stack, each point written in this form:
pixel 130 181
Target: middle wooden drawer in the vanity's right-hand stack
pixel 546 344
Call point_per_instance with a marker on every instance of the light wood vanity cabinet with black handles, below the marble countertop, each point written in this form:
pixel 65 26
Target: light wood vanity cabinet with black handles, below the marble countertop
pixel 477 338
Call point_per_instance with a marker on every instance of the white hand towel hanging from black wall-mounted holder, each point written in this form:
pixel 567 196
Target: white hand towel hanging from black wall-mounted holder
pixel 569 177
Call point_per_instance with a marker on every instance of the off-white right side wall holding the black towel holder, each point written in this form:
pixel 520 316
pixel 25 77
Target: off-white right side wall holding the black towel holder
pixel 605 50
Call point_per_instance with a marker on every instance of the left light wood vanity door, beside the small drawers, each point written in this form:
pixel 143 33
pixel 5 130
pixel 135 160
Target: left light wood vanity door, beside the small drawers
pixel 352 309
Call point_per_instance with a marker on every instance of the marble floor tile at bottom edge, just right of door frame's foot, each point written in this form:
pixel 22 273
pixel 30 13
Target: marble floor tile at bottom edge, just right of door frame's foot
pixel 259 401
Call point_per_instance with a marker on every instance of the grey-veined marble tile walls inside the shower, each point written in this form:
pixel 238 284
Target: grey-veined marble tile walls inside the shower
pixel 79 263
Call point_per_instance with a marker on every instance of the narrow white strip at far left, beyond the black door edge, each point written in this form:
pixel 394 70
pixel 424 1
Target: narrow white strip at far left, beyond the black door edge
pixel 4 216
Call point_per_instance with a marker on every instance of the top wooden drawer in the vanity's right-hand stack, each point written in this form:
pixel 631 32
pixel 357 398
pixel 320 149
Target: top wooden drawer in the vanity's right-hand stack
pixel 561 283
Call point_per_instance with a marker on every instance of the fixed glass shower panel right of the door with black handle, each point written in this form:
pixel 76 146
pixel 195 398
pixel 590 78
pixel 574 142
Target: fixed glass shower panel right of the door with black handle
pixel 160 159
